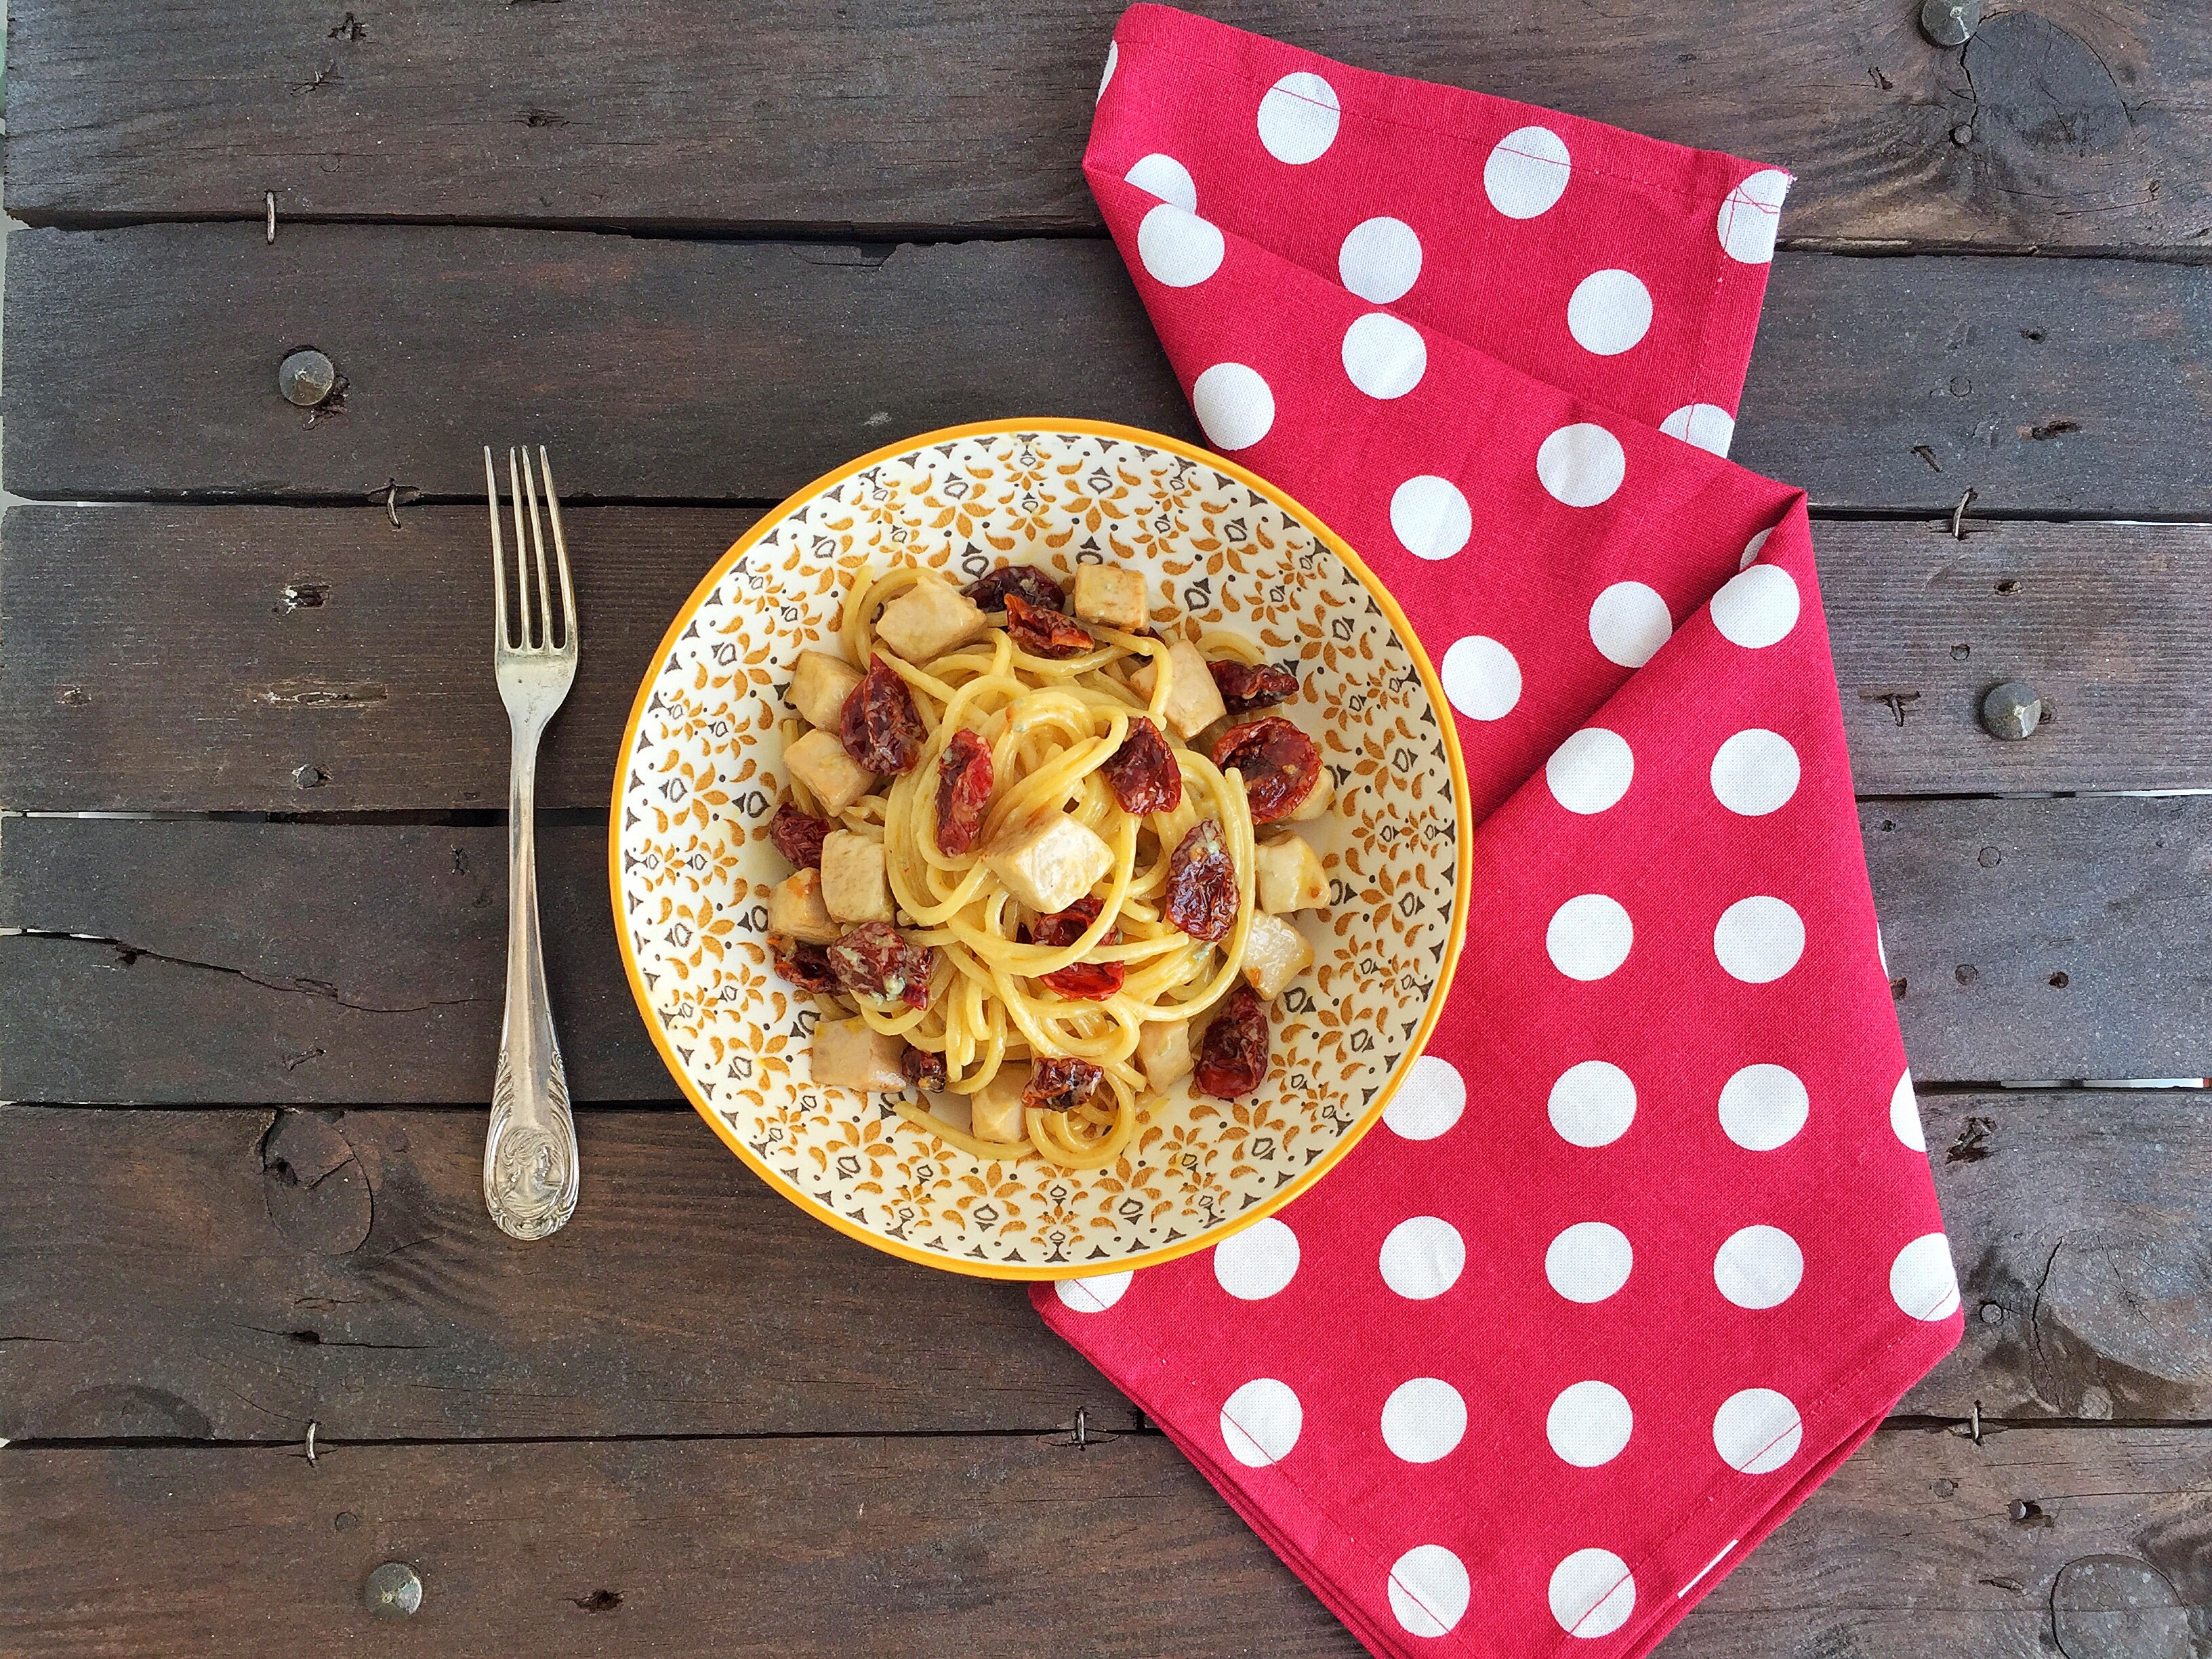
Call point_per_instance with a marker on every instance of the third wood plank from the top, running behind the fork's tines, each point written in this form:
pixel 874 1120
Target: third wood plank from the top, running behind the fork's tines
pixel 275 660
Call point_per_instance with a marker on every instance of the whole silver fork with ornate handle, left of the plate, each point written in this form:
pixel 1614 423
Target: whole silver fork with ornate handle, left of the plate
pixel 530 1149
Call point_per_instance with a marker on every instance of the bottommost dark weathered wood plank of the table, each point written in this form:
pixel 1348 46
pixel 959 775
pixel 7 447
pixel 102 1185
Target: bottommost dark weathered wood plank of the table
pixel 1005 1547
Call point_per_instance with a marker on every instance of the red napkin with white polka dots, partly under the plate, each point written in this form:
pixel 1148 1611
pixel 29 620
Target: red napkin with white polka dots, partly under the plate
pixel 1647 1242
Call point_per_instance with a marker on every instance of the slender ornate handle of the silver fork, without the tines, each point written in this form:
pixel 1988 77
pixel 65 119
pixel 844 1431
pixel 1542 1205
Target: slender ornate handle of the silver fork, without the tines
pixel 530 1151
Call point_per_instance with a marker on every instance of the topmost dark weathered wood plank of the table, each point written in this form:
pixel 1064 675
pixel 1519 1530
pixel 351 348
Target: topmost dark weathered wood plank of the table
pixel 2080 125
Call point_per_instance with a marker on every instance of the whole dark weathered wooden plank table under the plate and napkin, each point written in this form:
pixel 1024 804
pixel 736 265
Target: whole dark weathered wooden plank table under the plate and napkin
pixel 253 755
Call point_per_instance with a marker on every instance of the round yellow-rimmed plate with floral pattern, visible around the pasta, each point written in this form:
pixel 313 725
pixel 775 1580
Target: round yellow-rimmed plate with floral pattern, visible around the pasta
pixel 702 773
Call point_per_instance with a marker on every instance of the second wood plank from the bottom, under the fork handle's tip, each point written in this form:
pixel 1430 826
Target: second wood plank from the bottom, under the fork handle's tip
pixel 236 1275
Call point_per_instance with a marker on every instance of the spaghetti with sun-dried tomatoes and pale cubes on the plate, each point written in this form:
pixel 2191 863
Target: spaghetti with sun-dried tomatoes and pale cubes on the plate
pixel 1027 879
